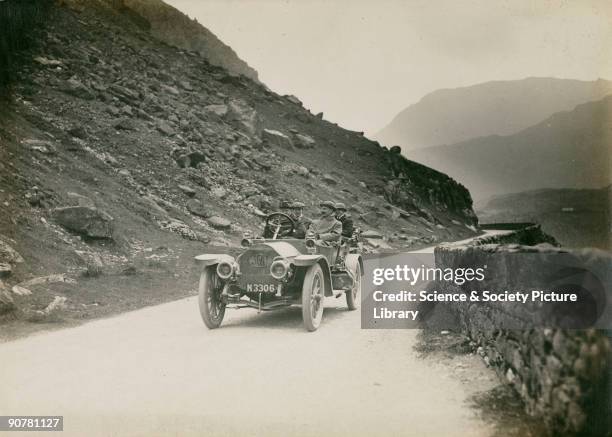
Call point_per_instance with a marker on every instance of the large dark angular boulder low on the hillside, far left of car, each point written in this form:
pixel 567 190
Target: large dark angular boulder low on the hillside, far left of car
pixel 86 221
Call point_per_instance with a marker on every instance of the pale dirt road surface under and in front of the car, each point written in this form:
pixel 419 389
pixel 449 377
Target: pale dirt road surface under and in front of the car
pixel 159 371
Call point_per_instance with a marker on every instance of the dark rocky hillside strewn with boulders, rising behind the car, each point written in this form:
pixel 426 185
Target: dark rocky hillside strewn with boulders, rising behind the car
pixel 122 157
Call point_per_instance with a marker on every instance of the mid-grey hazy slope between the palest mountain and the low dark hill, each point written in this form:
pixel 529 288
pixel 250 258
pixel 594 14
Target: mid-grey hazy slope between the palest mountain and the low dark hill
pixel 570 149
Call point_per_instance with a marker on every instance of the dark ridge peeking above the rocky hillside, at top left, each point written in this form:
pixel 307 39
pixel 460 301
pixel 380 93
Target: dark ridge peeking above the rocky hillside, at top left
pixel 173 27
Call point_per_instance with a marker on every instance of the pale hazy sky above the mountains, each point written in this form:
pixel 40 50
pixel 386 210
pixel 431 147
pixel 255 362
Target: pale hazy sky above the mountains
pixel 361 62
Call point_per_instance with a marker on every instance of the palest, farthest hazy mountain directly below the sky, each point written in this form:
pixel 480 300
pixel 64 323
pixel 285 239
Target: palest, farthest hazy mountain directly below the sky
pixel 449 116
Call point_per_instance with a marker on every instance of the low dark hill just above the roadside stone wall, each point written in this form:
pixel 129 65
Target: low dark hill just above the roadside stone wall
pixel 576 218
